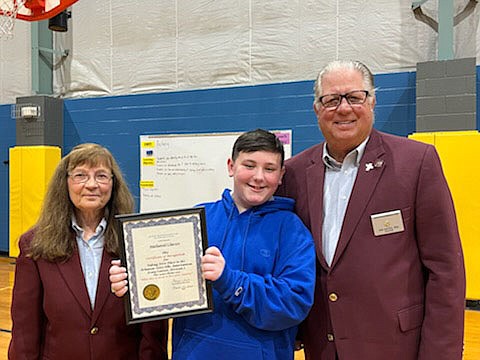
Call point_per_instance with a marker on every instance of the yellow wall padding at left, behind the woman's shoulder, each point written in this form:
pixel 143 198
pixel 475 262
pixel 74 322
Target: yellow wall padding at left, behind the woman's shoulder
pixel 30 170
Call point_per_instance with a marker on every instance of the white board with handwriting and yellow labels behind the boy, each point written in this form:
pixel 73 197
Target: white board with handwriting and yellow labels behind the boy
pixel 182 170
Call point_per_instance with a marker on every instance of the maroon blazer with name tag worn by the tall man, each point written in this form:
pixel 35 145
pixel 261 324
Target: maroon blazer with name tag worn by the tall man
pixel 399 296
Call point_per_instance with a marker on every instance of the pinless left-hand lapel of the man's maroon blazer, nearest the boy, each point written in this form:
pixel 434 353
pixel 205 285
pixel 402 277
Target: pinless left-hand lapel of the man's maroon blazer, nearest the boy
pixel 315 178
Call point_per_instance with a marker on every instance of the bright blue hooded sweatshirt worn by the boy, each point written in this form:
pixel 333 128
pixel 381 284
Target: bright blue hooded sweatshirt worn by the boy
pixel 265 290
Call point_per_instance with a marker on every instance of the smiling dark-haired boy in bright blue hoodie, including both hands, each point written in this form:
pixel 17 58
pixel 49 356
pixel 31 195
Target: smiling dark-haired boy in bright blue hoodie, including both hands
pixel 261 262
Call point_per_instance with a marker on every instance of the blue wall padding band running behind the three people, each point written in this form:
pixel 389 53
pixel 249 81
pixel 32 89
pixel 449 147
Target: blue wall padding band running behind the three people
pixel 117 122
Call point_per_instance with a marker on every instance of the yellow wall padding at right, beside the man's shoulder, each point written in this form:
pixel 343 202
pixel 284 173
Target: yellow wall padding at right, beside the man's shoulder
pixel 459 152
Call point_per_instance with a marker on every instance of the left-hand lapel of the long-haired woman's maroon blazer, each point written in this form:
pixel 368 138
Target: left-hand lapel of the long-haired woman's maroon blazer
pixel 72 273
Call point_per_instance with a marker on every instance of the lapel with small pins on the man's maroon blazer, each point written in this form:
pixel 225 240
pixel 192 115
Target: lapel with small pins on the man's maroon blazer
pixel 363 189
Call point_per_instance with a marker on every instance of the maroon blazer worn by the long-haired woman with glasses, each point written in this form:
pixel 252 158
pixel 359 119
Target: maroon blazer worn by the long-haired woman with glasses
pixel 52 316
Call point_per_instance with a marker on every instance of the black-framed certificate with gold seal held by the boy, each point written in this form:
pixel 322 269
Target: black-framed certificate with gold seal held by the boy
pixel 162 252
